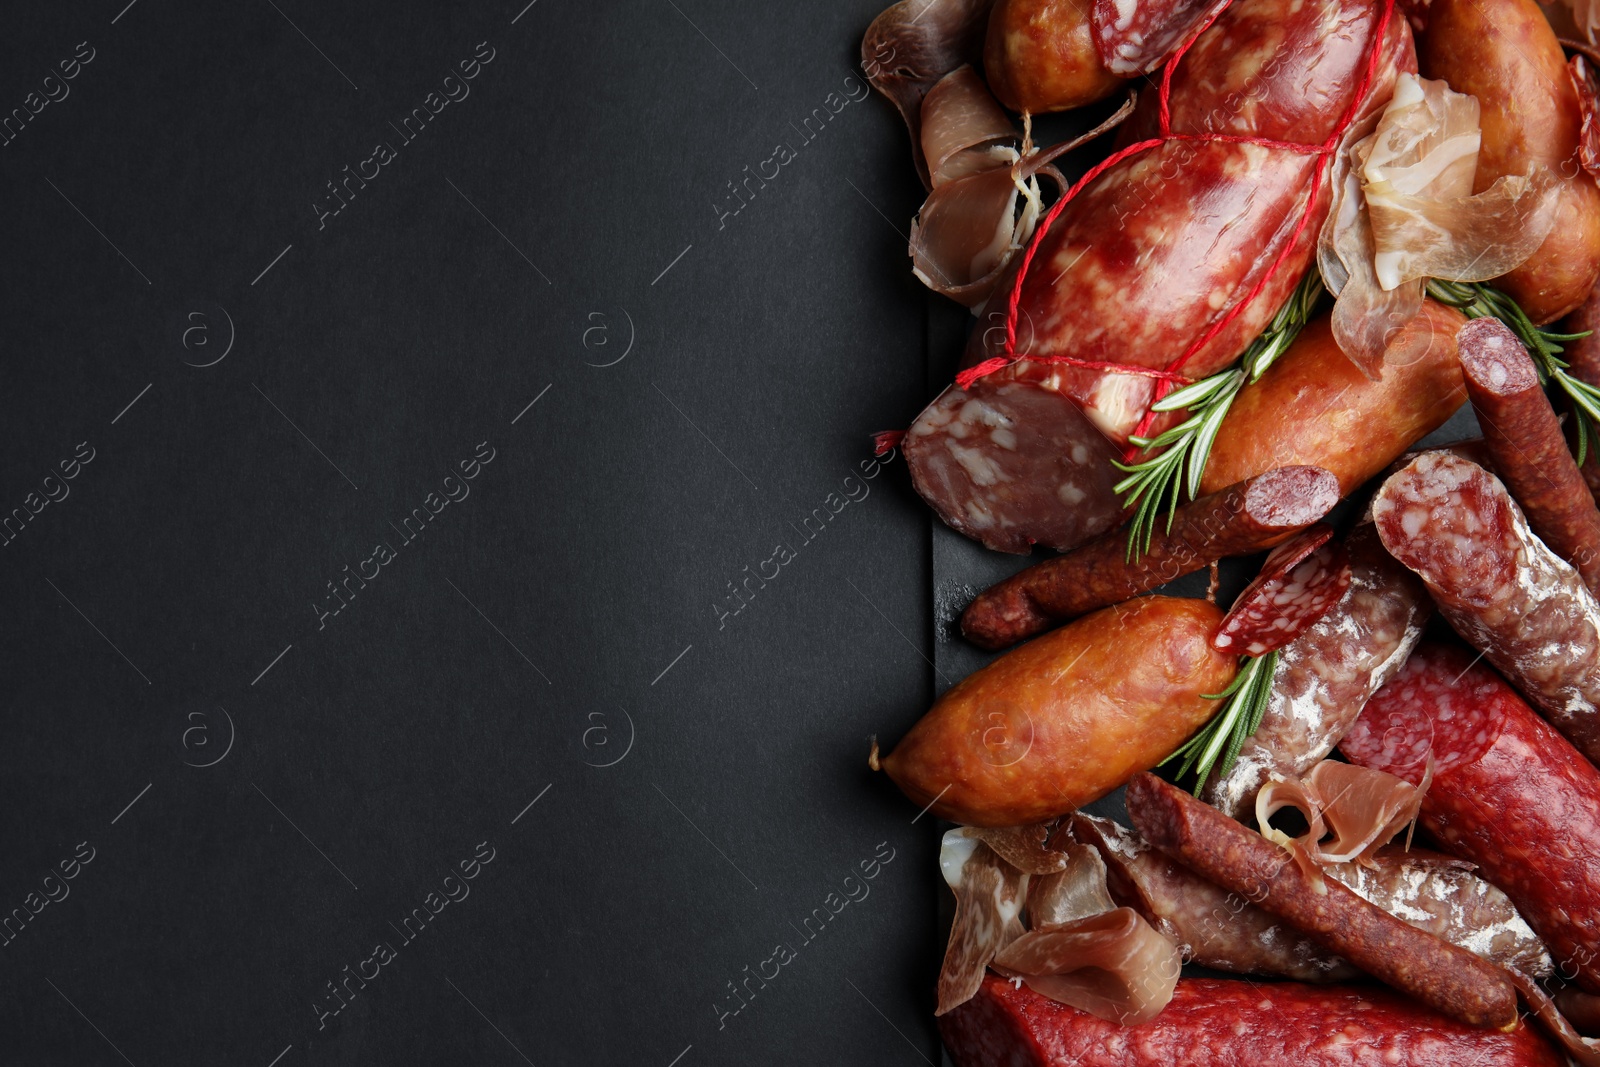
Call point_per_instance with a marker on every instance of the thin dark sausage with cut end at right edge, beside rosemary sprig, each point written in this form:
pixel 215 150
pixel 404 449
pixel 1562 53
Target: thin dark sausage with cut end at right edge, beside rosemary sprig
pixel 1524 438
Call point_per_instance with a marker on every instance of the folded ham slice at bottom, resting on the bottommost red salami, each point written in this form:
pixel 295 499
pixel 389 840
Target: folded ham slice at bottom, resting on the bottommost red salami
pixel 1113 965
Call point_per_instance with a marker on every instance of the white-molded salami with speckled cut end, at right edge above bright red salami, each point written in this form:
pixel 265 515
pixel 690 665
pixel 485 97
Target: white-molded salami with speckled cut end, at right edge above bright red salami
pixel 1530 613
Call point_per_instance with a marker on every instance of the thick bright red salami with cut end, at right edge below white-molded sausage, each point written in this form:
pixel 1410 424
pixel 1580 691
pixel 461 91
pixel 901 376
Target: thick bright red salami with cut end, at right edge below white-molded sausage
pixel 1508 793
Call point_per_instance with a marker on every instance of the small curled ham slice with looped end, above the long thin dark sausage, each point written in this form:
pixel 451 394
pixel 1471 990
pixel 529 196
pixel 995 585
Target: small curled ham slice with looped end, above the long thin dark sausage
pixel 1362 809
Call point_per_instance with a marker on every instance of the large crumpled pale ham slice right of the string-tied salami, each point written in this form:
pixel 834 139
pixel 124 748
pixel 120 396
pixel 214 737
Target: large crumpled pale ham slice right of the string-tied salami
pixel 1404 212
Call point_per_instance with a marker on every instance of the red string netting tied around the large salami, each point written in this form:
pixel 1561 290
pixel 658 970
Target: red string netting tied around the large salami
pixel 1170 375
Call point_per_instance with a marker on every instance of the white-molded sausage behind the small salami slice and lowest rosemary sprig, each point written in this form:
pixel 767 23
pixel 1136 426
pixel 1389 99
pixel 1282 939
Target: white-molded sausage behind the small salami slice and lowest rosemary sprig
pixel 1326 676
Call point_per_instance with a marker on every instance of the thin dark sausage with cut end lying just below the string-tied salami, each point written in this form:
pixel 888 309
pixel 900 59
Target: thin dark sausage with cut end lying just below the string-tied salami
pixel 1242 519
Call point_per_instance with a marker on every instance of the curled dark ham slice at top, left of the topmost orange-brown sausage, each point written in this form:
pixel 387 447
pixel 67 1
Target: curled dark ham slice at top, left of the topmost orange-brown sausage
pixel 914 44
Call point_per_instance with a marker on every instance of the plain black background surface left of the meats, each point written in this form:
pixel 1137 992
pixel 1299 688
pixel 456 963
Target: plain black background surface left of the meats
pixel 162 617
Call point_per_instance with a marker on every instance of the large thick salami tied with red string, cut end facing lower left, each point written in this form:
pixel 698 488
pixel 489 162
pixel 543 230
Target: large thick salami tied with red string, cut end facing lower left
pixel 1130 276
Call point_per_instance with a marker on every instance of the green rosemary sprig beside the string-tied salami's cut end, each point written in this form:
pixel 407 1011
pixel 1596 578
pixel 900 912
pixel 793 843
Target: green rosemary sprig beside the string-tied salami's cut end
pixel 1183 450
